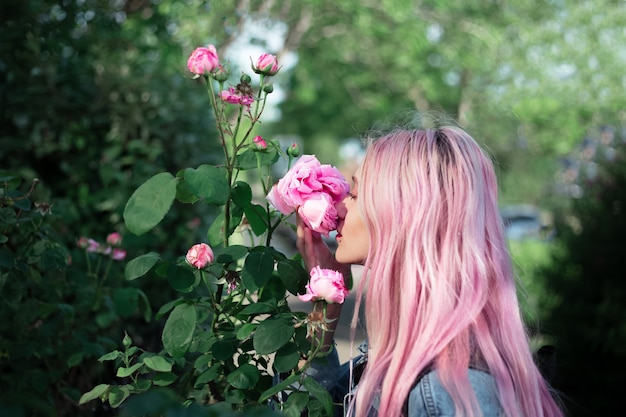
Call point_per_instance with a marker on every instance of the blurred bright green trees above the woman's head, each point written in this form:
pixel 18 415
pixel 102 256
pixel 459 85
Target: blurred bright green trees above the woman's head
pixel 524 77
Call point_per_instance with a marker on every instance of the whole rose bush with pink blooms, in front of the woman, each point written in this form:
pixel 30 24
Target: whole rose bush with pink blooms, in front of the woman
pixel 231 332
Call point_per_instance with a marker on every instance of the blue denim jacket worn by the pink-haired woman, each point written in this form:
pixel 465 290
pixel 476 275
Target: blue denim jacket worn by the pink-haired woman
pixel 428 398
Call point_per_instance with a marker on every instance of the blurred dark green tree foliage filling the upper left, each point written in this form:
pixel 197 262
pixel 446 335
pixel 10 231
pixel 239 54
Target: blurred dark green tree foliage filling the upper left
pixel 95 99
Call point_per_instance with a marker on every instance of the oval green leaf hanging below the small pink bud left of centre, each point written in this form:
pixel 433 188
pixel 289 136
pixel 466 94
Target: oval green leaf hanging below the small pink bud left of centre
pixel 179 330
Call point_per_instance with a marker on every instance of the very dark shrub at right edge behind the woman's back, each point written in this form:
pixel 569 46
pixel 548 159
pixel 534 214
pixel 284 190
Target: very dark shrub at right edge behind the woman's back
pixel 587 273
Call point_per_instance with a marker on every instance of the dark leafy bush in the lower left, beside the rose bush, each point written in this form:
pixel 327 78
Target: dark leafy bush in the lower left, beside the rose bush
pixel 61 307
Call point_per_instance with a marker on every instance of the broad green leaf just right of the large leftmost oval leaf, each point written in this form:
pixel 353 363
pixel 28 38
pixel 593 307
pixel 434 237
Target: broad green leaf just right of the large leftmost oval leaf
pixel 208 182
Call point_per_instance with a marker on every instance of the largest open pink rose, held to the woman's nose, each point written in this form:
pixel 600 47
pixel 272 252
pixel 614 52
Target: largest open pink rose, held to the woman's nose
pixel 311 189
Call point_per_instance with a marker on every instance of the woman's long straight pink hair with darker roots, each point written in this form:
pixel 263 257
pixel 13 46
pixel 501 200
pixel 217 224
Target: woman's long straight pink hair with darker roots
pixel 439 288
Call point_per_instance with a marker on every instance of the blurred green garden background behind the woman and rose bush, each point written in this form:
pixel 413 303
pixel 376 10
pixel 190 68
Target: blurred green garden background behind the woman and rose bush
pixel 95 98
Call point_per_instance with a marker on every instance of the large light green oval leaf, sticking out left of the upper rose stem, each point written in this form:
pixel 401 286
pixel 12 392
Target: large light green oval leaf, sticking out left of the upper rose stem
pixel 149 203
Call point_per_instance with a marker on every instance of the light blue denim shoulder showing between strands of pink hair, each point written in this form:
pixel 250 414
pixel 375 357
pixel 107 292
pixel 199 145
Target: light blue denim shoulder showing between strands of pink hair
pixel 429 398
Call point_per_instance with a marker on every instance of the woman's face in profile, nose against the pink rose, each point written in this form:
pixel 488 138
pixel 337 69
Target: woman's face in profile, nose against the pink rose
pixel 352 236
